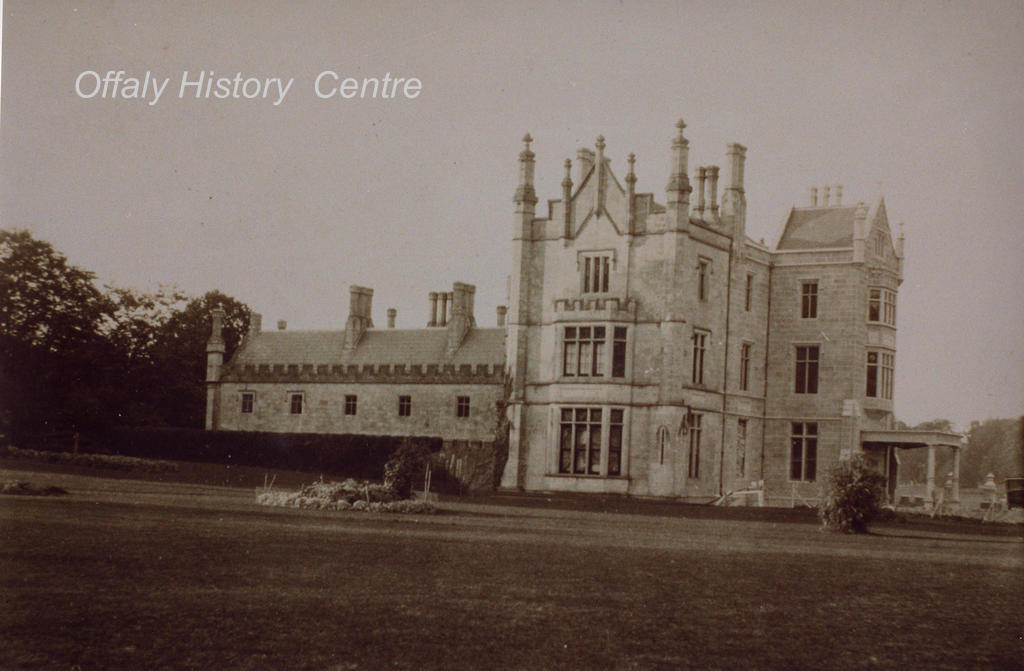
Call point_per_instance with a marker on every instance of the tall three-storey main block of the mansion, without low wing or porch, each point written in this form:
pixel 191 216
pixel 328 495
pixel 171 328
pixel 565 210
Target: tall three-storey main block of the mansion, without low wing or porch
pixel 705 400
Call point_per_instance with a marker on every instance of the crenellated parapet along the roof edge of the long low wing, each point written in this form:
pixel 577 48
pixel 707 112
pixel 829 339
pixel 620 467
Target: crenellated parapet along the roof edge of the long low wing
pixel 367 373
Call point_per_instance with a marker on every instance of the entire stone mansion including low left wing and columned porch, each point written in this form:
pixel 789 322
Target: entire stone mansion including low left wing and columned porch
pixel 649 349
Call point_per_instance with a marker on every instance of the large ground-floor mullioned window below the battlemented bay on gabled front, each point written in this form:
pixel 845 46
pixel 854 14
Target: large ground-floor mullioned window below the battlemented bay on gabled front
pixel 587 435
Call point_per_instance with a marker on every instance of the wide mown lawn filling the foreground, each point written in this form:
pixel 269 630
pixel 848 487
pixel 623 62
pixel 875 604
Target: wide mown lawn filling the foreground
pixel 126 574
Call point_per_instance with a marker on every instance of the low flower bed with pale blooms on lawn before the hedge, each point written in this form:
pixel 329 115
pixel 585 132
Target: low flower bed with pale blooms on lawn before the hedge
pixel 348 495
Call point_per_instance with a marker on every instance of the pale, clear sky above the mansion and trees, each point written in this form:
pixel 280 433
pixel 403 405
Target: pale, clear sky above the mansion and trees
pixel 284 206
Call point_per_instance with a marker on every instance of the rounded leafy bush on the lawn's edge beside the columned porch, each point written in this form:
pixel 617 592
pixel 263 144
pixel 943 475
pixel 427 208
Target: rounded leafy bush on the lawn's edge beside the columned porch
pixel 854 496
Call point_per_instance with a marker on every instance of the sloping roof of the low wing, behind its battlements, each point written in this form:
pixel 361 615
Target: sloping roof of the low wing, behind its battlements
pixel 385 347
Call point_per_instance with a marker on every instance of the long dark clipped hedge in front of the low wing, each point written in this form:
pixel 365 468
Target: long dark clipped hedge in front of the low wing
pixel 345 454
